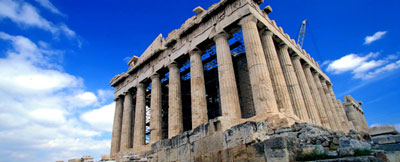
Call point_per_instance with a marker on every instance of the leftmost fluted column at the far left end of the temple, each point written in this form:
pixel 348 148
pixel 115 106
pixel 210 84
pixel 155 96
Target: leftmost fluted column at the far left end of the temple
pixel 116 134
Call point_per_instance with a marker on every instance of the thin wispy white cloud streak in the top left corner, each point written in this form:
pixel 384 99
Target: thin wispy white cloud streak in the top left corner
pixel 25 14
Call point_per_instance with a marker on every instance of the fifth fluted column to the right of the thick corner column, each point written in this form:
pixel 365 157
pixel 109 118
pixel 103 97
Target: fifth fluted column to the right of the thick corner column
pixel 326 106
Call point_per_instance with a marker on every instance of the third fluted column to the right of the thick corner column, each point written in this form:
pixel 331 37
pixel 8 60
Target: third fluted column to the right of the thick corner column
pixel 305 90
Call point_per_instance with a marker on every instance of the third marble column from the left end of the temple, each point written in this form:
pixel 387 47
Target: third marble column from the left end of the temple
pixel 140 117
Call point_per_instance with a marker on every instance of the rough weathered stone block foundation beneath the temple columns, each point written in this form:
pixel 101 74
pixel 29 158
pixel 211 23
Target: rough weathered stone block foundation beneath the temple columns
pixel 255 141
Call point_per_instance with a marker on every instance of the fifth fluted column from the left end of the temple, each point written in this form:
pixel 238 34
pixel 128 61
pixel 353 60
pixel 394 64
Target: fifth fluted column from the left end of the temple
pixel 175 125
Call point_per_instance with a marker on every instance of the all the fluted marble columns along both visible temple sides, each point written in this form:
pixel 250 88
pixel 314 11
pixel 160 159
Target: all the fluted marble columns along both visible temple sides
pixel 279 82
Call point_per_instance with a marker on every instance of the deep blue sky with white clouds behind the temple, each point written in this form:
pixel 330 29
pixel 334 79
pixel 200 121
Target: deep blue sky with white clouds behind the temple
pixel 57 58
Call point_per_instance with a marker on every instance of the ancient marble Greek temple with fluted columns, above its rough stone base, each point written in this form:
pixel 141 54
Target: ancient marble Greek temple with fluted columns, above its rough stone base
pixel 230 63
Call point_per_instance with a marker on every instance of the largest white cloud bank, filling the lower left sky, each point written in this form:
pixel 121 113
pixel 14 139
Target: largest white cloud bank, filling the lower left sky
pixel 38 119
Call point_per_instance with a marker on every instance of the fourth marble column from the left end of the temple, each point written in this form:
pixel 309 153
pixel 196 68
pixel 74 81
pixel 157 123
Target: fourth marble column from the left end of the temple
pixel 155 109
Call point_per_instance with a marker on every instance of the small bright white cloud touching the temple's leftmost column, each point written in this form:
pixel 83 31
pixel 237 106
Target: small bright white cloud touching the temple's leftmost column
pixel 102 118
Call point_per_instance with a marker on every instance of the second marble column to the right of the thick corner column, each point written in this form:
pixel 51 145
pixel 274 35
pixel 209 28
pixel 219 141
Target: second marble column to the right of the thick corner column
pixel 292 83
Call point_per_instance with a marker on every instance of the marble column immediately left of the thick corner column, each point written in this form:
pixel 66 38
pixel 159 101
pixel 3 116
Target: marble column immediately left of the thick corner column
pixel 230 106
